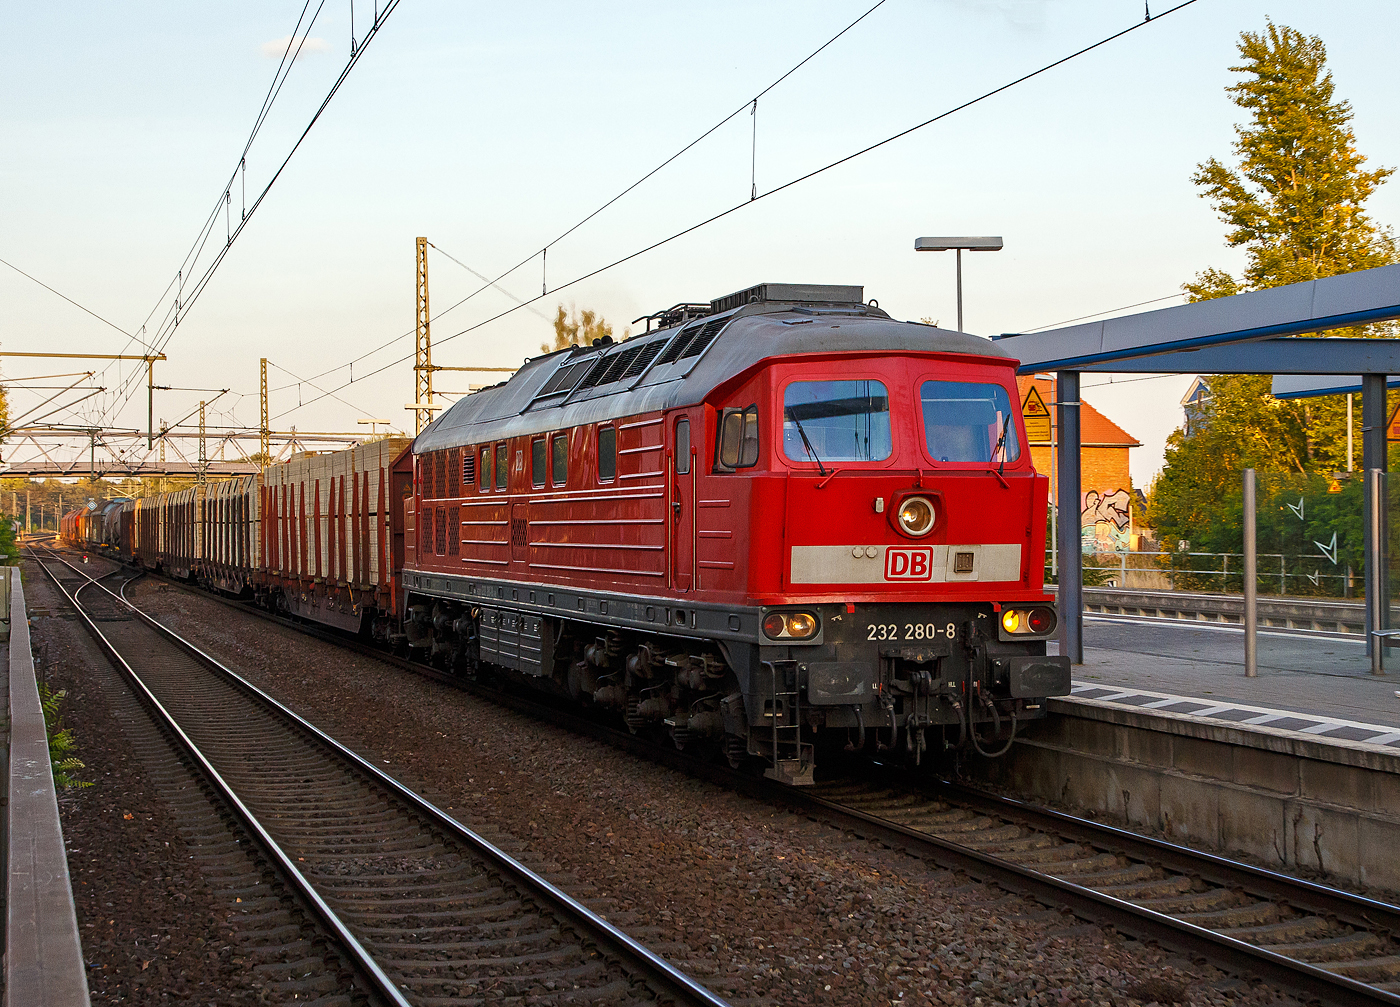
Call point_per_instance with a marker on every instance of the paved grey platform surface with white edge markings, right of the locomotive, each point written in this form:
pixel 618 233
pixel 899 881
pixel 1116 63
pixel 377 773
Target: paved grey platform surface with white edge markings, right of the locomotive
pixel 1314 686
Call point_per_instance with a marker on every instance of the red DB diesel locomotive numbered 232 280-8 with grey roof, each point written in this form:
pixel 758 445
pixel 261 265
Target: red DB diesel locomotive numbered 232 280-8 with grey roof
pixel 778 522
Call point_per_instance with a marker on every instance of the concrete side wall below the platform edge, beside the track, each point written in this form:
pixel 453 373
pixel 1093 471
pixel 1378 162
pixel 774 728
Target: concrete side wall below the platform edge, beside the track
pixel 1293 803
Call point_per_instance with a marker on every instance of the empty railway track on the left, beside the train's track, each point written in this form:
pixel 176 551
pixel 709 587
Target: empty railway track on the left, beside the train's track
pixel 426 911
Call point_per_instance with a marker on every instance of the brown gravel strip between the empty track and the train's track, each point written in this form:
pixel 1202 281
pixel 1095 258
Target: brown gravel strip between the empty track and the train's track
pixel 761 905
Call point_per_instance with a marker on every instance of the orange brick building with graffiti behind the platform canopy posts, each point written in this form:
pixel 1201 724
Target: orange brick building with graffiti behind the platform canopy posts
pixel 1107 492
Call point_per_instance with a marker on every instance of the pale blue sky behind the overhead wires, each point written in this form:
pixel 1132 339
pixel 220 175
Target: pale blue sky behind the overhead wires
pixel 492 130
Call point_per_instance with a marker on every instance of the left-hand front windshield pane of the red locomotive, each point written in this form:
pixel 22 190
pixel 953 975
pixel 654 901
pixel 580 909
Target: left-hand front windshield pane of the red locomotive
pixel 836 422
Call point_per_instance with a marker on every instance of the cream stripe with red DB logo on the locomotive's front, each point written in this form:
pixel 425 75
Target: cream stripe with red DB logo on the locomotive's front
pixel 905 565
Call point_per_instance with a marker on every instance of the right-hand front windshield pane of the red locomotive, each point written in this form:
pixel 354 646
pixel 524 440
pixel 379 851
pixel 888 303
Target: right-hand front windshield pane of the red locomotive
pixel 969 422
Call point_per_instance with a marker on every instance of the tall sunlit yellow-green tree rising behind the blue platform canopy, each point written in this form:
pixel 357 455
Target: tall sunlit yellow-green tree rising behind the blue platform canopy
pixel 1296 205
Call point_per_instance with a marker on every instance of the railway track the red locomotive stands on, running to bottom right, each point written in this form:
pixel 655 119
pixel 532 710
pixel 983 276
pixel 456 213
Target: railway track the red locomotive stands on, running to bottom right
pixel 1324 943
